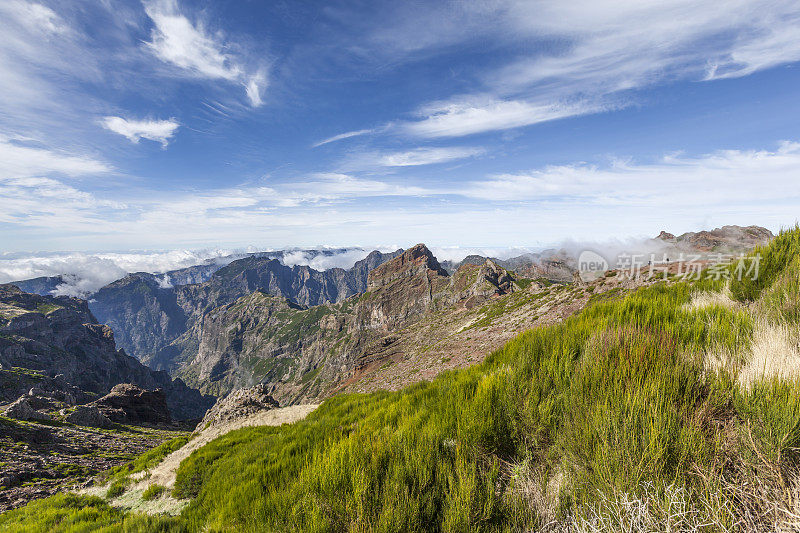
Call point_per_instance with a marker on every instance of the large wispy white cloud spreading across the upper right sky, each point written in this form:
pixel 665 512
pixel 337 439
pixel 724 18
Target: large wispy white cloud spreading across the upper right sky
pixel 586 54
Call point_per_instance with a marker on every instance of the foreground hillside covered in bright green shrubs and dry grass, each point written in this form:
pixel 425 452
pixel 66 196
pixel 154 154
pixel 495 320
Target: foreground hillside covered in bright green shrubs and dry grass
pixel 674 408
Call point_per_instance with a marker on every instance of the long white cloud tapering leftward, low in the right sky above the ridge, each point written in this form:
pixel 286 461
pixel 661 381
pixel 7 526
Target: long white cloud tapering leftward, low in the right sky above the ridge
pixel 726 177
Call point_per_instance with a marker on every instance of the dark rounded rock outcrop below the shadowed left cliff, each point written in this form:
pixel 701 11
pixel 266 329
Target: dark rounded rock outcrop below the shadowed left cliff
pixel 129 404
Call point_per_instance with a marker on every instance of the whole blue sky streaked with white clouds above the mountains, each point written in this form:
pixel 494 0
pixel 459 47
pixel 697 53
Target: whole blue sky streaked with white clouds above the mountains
pixel 164 124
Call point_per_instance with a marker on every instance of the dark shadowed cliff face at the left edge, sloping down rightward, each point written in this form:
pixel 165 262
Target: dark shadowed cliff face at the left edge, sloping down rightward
pixel 59 339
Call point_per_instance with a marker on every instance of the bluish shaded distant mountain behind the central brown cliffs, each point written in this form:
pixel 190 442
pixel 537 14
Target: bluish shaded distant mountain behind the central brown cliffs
pixel 148 314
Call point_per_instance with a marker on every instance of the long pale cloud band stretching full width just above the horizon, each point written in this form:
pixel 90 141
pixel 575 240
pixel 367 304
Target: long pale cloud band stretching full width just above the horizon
pixel 583 201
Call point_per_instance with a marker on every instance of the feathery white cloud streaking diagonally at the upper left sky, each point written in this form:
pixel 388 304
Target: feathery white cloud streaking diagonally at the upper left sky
pixel 191 47
